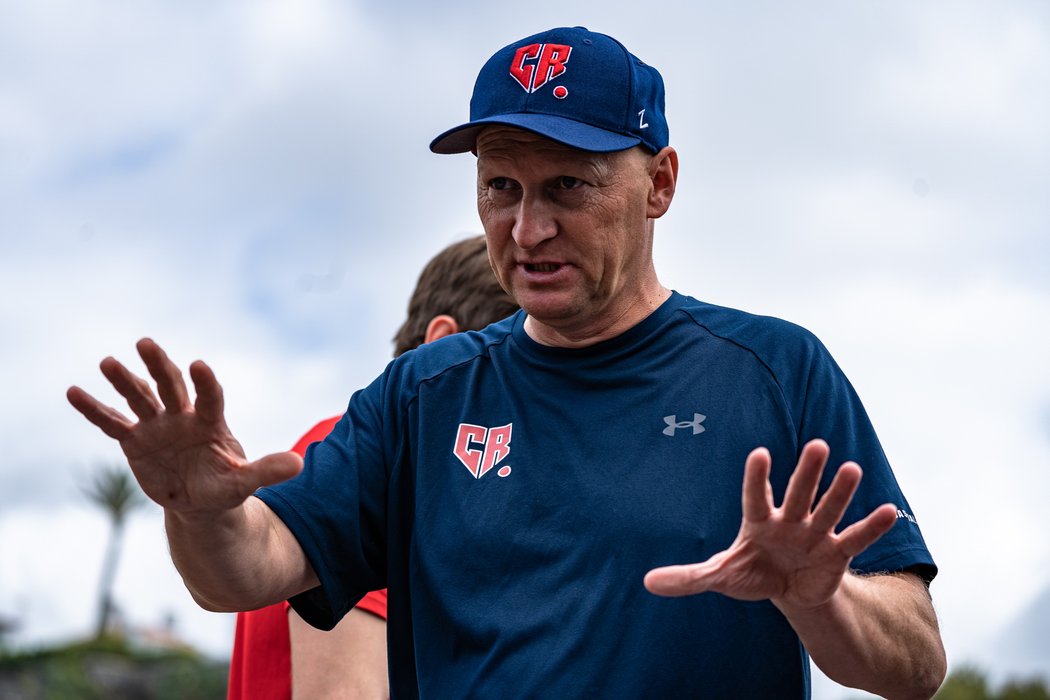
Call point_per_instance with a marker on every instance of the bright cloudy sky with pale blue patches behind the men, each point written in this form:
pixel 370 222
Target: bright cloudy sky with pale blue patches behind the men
pixel 248 182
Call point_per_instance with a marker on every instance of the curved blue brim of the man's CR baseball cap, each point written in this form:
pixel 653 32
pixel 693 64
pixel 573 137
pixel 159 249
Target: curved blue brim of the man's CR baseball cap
pixel 571 133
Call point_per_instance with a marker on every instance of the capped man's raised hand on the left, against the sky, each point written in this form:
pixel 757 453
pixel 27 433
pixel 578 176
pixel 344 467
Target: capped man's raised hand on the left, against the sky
pixel 183 454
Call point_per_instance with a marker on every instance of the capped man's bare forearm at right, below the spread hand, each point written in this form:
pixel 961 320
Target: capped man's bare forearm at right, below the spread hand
pixel 877 633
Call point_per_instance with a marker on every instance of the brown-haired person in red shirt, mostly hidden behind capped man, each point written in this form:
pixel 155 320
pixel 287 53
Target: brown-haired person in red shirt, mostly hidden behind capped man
pixel 276 654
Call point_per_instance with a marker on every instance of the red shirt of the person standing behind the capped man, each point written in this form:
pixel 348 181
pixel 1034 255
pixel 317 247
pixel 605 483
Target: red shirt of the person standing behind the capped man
pixel 261 667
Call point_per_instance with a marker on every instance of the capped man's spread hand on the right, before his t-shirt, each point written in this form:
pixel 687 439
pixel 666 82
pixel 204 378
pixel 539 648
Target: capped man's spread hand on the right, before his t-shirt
pixel 791 555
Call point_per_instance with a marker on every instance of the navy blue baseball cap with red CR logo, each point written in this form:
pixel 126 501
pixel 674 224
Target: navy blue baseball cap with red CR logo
pixel 578 88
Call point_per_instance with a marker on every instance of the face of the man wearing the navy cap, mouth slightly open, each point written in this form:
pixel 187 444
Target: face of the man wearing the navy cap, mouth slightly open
pixel 569 234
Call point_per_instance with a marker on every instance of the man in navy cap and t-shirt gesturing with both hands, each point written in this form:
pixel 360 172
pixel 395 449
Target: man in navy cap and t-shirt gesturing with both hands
pixel 514 487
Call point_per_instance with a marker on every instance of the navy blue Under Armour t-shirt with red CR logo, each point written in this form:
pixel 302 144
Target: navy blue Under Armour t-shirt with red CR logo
pixel 512 497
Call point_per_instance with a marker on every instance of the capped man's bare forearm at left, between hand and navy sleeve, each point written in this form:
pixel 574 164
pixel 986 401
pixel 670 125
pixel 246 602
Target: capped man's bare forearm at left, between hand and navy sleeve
pixel 238 560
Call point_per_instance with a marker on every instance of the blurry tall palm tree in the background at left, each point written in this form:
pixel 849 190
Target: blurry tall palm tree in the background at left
pixel 115 492
